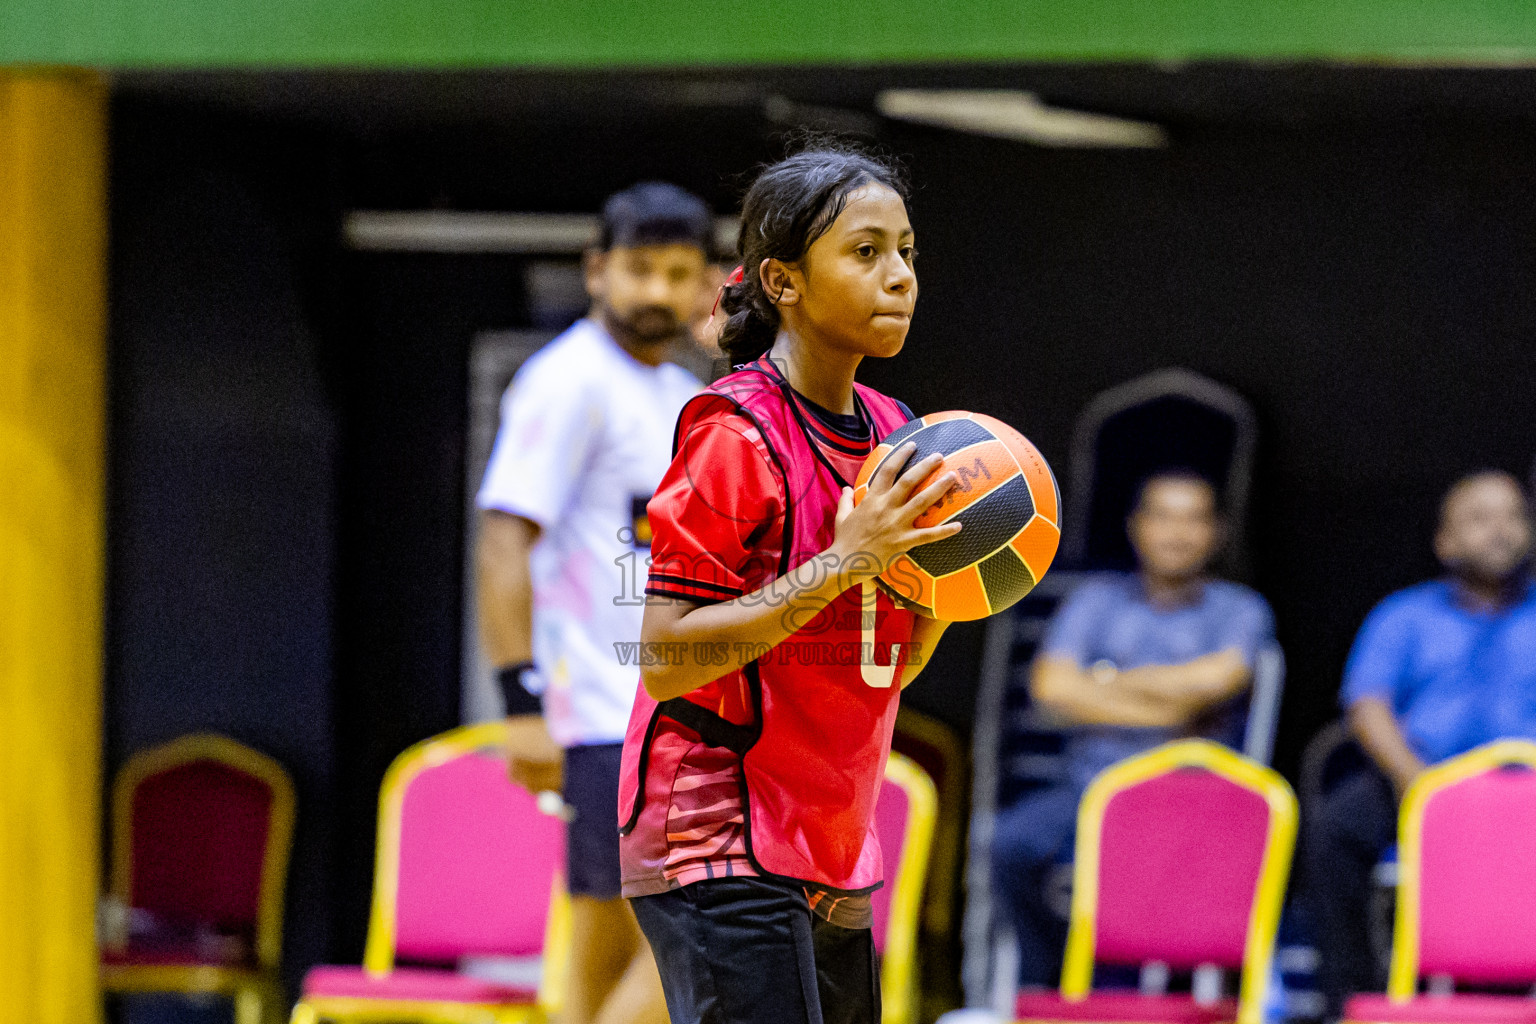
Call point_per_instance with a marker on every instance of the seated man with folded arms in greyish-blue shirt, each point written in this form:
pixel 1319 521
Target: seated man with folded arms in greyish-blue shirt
pixel 1130 661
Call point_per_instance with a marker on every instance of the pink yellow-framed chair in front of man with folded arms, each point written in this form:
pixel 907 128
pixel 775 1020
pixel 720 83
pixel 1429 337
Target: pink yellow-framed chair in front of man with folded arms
pixel 1182 859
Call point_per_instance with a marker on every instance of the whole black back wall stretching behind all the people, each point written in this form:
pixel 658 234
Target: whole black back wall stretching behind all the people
pixel 1348 249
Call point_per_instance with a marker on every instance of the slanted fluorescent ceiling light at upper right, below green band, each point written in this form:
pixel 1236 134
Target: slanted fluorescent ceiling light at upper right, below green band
pixel 1016 116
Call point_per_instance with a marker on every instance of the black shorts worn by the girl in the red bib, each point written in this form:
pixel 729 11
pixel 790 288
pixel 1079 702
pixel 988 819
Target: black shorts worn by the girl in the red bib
pixel 749 951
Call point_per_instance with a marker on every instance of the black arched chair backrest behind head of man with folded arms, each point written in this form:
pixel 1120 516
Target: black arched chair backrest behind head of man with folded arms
pixel 1157 421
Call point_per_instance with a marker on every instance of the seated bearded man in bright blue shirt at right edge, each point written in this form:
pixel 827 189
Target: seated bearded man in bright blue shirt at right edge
pixel 1437 670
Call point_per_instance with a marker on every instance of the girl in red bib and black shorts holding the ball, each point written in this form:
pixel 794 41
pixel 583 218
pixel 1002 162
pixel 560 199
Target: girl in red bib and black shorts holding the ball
pixel 772 664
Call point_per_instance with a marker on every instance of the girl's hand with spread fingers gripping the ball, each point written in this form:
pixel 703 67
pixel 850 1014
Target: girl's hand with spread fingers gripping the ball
pixel 882 526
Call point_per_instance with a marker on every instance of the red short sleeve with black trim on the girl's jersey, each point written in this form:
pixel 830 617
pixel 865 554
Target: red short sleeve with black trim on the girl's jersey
pixel 718 517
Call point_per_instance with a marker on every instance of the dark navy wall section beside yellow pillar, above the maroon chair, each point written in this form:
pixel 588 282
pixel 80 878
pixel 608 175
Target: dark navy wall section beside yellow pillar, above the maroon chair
pixel 223 471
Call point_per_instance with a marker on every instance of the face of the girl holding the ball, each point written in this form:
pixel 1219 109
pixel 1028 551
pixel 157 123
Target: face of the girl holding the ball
pixel 855 289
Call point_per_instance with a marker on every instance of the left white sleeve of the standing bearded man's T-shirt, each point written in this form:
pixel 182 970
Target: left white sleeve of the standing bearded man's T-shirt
pixel 546 440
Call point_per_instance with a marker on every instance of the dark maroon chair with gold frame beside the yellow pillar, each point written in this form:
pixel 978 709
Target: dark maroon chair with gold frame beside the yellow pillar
pixel 202 830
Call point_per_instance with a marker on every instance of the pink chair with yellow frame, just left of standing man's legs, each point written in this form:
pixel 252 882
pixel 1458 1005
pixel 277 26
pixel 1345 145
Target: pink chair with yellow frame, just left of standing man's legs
pixel 468 870
